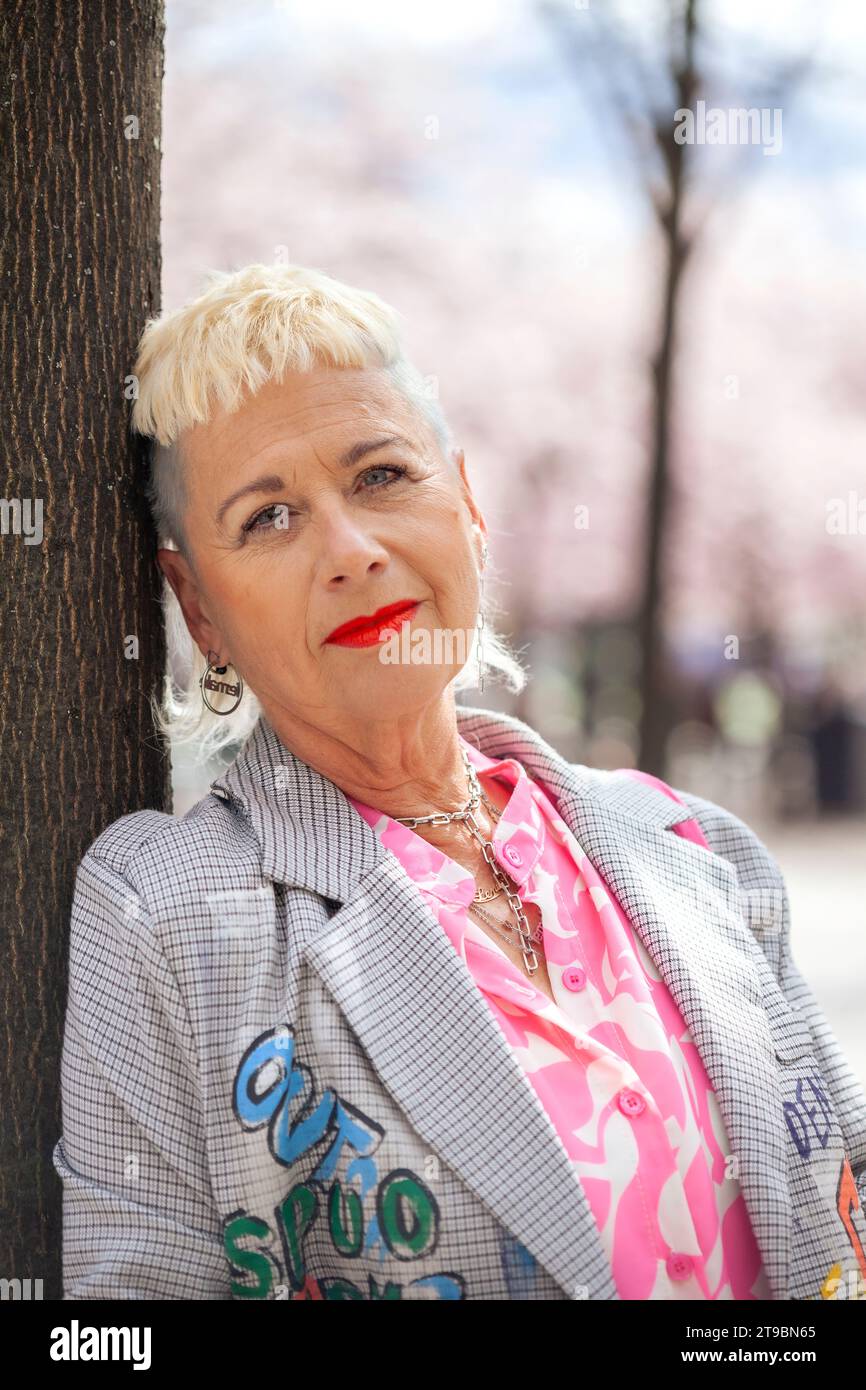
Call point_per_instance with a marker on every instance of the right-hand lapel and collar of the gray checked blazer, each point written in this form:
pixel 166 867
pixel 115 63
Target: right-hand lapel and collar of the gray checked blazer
pixel 686 906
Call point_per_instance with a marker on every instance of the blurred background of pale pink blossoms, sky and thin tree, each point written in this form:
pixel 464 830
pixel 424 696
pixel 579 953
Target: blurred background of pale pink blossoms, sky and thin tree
pixel 646 334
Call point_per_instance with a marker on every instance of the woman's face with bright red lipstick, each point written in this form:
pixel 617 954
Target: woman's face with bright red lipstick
pixel 301 519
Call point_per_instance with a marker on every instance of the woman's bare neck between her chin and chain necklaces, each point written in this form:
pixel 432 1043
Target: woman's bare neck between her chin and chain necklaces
pixel 405 767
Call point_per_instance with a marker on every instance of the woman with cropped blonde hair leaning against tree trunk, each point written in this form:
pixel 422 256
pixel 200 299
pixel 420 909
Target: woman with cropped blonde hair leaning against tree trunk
pixel 409 1007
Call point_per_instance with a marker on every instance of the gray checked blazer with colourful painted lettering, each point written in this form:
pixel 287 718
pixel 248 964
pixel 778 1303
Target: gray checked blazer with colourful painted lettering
pixel 281 1082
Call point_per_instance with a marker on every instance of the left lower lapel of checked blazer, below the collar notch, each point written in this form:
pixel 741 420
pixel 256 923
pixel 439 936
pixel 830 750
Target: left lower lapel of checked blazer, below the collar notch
pixel 440 1052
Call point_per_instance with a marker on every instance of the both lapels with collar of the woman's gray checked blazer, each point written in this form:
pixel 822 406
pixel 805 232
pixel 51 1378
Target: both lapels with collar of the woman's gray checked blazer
pixel 432 1038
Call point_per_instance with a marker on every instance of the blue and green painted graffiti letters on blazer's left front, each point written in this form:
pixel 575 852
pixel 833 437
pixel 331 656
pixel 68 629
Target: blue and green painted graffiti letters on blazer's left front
pixel 366 1216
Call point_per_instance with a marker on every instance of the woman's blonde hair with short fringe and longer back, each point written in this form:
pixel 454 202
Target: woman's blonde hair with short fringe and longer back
pixel 247 329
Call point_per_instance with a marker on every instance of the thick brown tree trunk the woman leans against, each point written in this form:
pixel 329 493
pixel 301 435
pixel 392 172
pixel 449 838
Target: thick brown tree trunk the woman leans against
pixel 80 618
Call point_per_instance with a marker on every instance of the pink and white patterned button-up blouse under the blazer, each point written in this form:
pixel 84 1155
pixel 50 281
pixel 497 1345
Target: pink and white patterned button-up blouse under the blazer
pixel 612 1061
